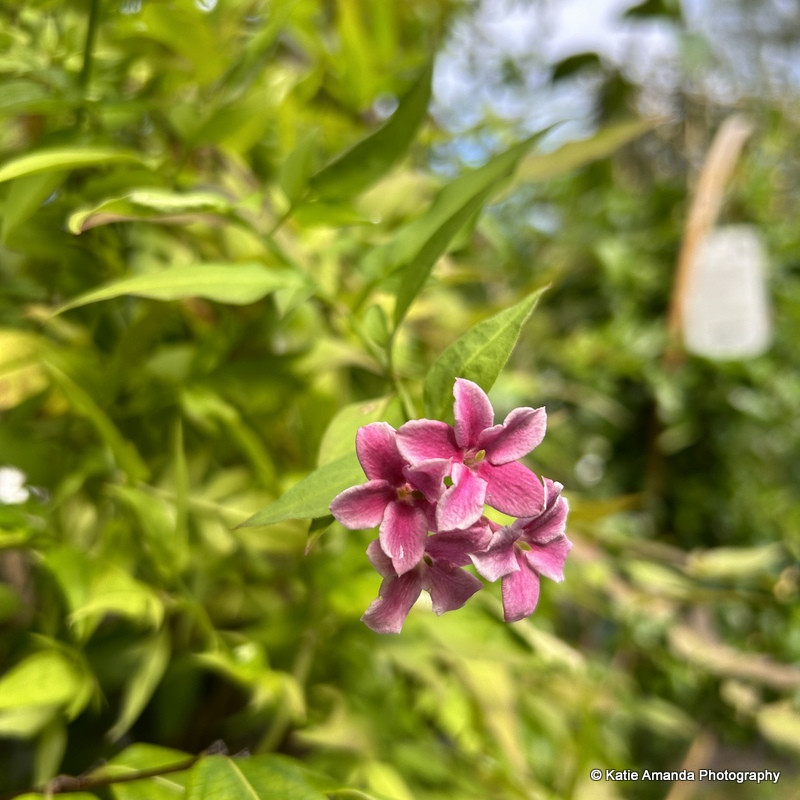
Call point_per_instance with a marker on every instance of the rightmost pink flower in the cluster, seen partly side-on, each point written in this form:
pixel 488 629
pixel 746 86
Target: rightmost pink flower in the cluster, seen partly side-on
pixel 522 552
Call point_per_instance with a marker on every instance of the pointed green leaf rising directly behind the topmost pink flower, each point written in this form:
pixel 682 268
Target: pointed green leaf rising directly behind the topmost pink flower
pixel 479 355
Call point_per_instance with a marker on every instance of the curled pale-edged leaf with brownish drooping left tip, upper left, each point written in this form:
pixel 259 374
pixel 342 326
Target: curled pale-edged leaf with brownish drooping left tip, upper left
pixel 153 204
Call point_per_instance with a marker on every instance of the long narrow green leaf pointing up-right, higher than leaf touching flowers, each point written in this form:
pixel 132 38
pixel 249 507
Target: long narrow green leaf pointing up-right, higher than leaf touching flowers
pixel 415 250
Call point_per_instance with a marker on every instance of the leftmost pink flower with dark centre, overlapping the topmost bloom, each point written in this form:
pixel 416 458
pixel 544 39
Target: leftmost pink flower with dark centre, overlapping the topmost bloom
pixel 398 497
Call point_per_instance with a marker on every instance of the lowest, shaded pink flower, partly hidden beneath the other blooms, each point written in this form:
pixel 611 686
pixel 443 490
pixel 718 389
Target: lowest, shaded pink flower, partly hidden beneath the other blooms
pixel 449 585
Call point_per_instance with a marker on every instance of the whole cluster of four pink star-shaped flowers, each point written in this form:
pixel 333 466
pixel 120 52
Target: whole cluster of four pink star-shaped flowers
pixel 428 483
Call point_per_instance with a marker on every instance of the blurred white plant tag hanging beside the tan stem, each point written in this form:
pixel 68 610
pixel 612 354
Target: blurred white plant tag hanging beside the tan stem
pixel 726 311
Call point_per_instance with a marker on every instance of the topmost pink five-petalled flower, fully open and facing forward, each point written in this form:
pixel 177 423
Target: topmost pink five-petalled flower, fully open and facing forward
pixel 483 457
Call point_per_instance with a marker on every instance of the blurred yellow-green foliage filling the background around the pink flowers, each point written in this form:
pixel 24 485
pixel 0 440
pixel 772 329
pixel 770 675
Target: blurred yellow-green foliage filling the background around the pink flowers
pixel 219 256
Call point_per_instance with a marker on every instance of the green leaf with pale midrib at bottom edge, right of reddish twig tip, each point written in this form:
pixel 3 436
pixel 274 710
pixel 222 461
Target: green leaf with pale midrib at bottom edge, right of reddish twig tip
pixel 266 777
